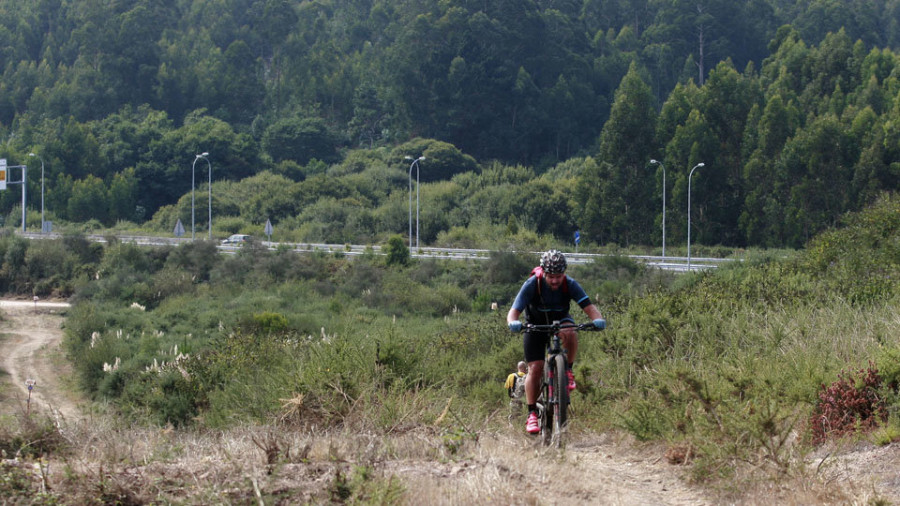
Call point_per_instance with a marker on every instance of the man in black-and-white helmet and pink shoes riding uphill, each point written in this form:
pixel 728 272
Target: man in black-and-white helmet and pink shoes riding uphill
pixel 545 297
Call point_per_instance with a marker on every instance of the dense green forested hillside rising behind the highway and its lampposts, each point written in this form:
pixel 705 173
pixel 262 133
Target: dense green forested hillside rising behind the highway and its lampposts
pixel 534 117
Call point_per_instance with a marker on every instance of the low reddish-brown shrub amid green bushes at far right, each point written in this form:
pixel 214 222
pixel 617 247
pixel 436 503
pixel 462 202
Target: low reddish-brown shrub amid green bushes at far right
pixel 848 405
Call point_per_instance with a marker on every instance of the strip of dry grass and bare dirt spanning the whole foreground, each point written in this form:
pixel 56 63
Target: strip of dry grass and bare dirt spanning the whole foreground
pixel 108 463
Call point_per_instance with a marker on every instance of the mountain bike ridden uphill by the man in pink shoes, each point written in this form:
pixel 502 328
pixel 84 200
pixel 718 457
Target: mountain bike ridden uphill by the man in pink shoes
pixel 553 401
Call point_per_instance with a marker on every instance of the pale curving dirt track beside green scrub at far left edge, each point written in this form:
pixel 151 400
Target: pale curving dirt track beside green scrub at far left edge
pixel 30 350
